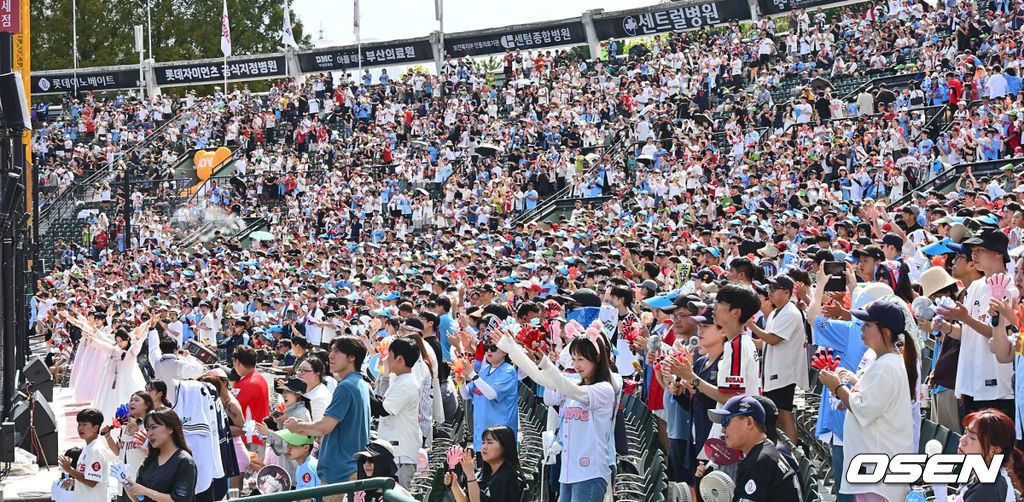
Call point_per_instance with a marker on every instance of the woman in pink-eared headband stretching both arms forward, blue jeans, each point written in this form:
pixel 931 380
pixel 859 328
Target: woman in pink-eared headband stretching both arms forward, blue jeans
pixel 587 413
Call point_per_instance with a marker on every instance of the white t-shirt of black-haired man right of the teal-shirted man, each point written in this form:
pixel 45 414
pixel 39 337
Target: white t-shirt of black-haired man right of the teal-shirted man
pixel 402 428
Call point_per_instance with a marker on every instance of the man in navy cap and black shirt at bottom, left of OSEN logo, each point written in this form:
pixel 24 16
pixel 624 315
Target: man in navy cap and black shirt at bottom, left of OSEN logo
pixel 763 475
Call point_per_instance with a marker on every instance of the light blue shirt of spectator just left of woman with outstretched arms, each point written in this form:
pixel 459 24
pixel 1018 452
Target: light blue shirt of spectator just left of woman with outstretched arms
pixel 502 411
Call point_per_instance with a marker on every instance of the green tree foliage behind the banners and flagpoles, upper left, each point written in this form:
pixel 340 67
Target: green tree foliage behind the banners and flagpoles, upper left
pixel 182 30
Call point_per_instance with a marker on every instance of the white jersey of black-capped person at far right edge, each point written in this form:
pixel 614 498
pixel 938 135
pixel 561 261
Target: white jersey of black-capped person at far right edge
pixel 978 373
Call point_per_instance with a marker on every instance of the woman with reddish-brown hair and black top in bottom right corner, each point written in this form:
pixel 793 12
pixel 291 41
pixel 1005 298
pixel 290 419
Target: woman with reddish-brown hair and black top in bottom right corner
pixel 989 433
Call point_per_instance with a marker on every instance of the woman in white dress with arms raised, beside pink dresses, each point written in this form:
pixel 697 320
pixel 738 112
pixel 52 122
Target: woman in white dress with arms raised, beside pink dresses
pixel 122 376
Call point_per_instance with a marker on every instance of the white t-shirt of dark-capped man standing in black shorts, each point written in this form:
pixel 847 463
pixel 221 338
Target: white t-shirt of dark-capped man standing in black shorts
pixel 786 363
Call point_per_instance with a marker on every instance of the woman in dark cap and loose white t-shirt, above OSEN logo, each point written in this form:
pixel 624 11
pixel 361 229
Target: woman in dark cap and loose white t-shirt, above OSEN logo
pixel 879 397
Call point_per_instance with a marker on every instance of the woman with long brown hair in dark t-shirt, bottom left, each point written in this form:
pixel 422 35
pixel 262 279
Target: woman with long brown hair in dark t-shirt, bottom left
pixel 168 473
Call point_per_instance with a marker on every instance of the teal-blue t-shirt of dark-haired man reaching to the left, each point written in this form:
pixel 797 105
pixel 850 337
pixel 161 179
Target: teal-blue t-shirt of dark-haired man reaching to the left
pixel 351 406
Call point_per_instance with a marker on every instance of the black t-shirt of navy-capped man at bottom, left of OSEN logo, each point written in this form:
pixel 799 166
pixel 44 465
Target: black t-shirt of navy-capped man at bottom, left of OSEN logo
pixel 765 476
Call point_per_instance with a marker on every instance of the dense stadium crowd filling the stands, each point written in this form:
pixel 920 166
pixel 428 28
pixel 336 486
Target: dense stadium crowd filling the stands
pixel 728 236
